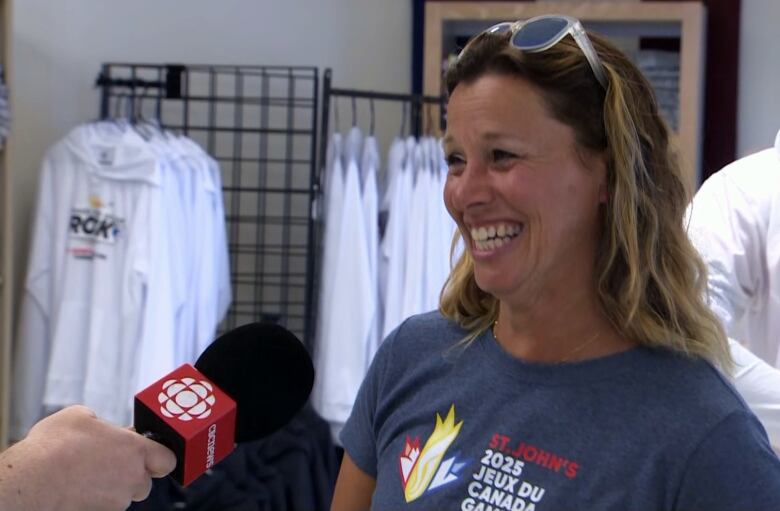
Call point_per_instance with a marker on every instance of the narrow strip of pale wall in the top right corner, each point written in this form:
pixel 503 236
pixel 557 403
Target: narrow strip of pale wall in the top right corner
pixel 758 107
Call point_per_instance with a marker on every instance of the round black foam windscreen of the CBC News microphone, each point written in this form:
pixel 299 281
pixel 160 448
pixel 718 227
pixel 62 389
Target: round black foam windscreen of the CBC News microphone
pixel 266 370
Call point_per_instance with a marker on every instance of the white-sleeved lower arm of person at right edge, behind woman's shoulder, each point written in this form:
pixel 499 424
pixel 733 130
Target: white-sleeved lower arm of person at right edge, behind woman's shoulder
pixel 759 385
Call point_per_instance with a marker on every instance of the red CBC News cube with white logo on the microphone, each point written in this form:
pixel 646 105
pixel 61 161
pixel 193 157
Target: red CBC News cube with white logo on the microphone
pixel 191 416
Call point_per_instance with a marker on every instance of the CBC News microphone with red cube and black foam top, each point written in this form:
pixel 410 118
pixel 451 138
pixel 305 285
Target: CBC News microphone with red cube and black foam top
pixel 247 384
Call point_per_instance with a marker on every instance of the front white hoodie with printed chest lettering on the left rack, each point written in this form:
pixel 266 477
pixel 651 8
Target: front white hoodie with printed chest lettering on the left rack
pixel 91 270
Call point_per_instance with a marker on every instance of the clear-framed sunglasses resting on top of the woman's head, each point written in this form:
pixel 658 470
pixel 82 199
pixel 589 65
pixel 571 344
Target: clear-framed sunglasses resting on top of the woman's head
pixel 543 32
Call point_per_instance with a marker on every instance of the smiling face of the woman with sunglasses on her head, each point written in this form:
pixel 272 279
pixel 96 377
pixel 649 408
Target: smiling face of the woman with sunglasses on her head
pixel 525 200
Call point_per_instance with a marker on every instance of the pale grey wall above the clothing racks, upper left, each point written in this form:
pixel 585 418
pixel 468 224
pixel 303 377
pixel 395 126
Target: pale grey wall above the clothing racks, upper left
pixel 57 47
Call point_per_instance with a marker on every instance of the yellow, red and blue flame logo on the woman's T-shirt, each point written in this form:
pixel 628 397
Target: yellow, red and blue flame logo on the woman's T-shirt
pixel 427 470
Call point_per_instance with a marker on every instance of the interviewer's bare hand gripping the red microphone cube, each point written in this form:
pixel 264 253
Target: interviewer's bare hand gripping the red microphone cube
pixel 72 461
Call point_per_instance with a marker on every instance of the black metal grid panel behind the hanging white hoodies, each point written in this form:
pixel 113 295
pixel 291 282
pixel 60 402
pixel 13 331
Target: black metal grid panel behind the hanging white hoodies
pixel 259 123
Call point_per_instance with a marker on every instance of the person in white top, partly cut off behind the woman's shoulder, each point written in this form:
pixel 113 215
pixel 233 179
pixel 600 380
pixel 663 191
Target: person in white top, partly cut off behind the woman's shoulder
pixel 735 225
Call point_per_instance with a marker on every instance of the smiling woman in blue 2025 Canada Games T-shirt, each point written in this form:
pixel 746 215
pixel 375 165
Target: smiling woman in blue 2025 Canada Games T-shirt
pixel 572 363
